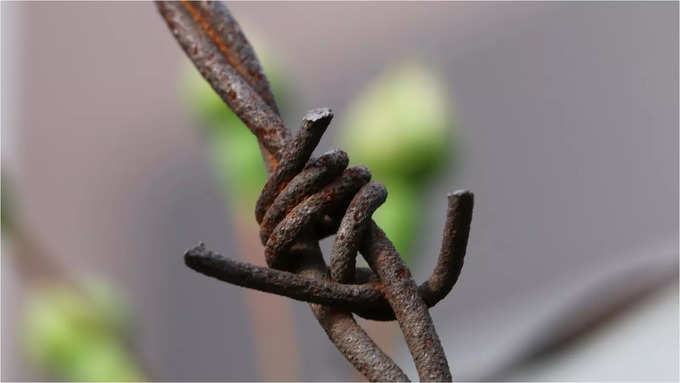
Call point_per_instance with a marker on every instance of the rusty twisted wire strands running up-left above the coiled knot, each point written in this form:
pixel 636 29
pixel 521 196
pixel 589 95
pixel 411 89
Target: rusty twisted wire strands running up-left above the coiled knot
pixel 213 55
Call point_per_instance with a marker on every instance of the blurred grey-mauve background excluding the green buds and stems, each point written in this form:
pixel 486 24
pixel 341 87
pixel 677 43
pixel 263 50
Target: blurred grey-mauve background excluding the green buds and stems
pixel 568 125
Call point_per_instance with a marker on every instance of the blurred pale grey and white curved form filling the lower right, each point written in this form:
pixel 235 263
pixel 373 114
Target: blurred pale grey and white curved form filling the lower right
pixel 637 342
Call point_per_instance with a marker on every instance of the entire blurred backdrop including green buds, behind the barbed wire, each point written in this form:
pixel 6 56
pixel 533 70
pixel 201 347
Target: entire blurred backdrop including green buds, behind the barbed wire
pixel 562 118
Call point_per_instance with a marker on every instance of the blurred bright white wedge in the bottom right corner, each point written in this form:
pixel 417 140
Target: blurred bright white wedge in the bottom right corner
pixel 641 345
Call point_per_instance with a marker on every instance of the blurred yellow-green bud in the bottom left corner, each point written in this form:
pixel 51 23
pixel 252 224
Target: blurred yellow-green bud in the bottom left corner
pixel 79 335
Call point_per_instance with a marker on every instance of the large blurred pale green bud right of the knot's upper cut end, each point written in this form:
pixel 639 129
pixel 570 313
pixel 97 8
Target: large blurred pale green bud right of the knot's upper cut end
pixel 400 126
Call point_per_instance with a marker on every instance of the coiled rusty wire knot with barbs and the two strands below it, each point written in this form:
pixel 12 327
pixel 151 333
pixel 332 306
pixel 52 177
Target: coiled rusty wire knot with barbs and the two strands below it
pixel 305 200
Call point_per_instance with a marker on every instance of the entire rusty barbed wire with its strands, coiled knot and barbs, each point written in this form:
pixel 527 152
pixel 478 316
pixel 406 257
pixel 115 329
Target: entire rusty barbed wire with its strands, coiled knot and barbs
pixel 305 200
